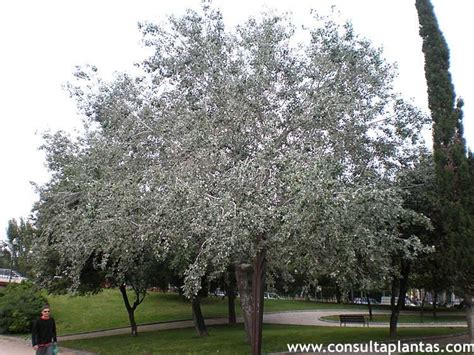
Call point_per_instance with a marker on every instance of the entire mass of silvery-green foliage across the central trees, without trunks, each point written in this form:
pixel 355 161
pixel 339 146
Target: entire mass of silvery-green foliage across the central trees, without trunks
pixel 230 135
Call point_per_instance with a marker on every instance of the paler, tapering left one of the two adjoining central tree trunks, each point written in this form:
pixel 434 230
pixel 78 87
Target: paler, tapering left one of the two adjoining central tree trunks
pixel 243 277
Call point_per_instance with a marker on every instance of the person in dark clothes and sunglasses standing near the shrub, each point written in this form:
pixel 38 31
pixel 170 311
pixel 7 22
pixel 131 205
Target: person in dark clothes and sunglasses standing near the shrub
pixel 43 334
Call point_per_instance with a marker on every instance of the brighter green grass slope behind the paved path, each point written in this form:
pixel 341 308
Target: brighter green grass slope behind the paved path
pixel 77 314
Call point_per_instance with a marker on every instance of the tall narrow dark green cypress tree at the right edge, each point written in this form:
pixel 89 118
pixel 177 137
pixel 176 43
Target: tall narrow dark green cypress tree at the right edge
pixel 453 175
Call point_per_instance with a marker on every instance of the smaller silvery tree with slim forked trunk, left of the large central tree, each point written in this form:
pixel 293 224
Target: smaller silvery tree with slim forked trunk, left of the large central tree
pixel 96 238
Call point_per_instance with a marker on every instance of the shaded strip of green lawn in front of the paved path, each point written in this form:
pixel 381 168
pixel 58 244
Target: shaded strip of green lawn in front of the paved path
pixel 231 339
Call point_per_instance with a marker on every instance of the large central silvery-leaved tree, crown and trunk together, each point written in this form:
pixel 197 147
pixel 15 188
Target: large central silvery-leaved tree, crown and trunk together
pixel 278 152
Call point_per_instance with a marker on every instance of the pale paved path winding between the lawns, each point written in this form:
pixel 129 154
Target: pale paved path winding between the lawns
pixel 17 346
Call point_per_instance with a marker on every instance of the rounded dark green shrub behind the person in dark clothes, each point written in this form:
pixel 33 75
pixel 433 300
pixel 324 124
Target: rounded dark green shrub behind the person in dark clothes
pixel 20 304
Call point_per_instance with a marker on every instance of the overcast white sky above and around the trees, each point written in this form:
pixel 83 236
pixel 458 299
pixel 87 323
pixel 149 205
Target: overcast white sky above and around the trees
pixel 42 41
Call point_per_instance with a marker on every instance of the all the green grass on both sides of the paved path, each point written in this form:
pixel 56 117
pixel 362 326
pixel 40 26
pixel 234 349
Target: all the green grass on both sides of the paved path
pixel 106 310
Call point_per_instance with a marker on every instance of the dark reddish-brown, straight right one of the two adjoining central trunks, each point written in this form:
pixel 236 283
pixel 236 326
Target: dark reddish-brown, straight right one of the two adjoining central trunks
pixel 258 287
